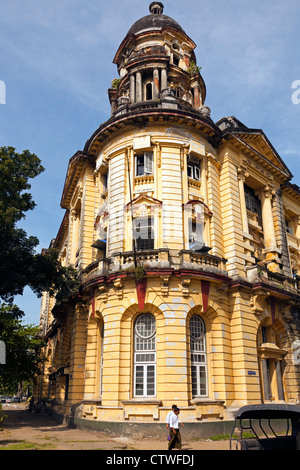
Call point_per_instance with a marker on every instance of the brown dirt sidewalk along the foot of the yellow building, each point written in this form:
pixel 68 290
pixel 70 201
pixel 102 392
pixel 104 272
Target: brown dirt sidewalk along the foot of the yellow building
pixel 22 430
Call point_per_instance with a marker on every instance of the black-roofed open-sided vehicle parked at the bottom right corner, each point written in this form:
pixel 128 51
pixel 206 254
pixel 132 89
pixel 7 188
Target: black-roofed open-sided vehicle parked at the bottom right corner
pixel 266 427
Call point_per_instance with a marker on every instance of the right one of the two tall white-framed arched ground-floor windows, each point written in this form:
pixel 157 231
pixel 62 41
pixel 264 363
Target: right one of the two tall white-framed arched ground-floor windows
pixel 198 357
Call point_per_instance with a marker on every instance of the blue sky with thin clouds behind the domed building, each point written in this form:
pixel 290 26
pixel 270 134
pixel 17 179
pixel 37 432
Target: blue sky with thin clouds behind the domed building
pixel 56 65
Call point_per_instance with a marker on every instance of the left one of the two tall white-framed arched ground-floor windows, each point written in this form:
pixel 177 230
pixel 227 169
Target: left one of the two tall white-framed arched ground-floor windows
pixel 145 356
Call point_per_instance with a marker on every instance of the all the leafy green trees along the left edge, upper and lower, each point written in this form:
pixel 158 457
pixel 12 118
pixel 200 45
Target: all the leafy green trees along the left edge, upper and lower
pixel 21 266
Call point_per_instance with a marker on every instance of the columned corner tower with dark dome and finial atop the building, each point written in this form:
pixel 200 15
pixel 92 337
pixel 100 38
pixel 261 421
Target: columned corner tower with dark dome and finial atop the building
pixel 157 65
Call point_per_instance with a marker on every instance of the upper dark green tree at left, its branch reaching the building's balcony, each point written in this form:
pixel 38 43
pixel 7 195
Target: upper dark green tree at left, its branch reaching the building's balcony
pixel 20 265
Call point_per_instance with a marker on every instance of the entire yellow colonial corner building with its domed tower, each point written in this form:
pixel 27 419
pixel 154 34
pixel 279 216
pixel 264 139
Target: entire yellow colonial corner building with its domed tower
pixel 186 235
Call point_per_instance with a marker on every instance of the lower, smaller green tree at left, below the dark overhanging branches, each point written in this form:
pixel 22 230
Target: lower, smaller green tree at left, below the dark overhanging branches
pixel 23 361
